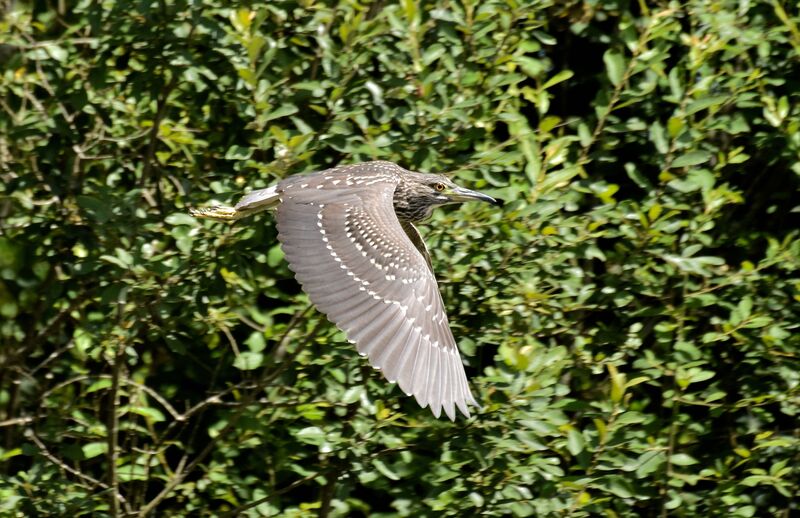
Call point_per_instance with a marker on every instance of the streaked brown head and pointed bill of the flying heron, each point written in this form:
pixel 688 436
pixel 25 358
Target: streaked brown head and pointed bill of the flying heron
pixel 418 194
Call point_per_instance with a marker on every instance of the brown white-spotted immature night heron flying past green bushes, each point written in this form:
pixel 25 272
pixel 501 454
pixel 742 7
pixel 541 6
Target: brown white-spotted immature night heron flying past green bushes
pixel 348 234
